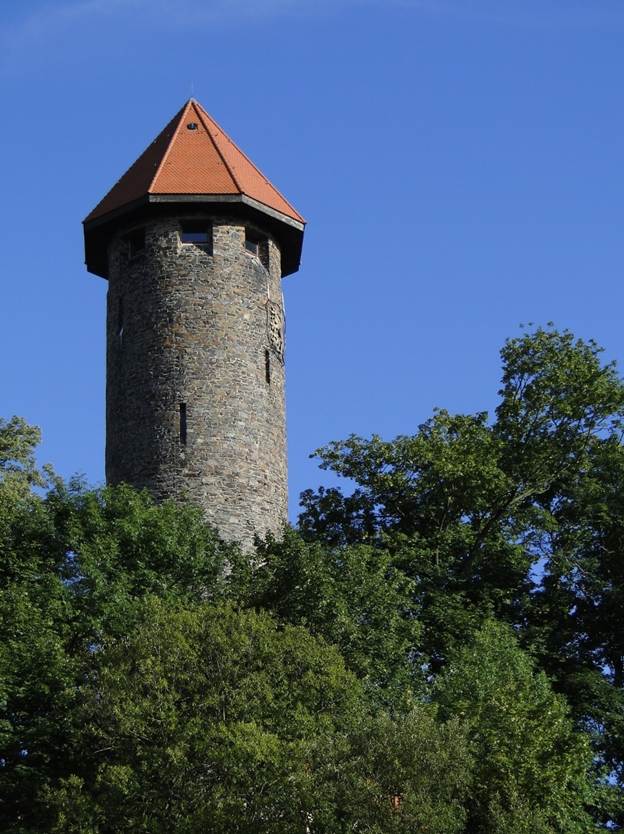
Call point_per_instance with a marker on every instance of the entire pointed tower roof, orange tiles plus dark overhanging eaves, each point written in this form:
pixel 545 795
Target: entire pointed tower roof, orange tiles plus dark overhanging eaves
pixel 193 164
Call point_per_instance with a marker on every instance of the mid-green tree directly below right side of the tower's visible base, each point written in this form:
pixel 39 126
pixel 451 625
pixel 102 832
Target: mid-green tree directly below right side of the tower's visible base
pixel 353 597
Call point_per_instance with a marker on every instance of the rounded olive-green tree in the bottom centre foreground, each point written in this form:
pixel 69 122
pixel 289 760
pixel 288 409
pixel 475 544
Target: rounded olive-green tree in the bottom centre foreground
pixel 209 719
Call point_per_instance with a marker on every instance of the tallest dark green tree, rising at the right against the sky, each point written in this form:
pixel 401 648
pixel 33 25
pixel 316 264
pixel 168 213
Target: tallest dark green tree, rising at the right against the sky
pixel 515 516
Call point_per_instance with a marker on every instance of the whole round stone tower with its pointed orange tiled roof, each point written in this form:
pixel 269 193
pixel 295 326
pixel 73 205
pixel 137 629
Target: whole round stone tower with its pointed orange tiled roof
pixel 194 242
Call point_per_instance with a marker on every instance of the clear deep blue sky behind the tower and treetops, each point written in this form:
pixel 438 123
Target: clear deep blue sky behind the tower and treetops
pixel 460 163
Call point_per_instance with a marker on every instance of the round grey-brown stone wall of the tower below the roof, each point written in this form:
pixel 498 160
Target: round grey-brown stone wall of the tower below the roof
pixel 202 332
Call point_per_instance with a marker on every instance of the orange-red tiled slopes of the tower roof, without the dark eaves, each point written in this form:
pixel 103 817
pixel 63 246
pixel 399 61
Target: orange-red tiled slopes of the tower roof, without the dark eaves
pixel 201 160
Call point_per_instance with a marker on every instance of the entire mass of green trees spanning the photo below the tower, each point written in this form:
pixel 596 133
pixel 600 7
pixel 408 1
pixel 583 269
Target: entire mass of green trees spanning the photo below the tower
pixel 438 648
